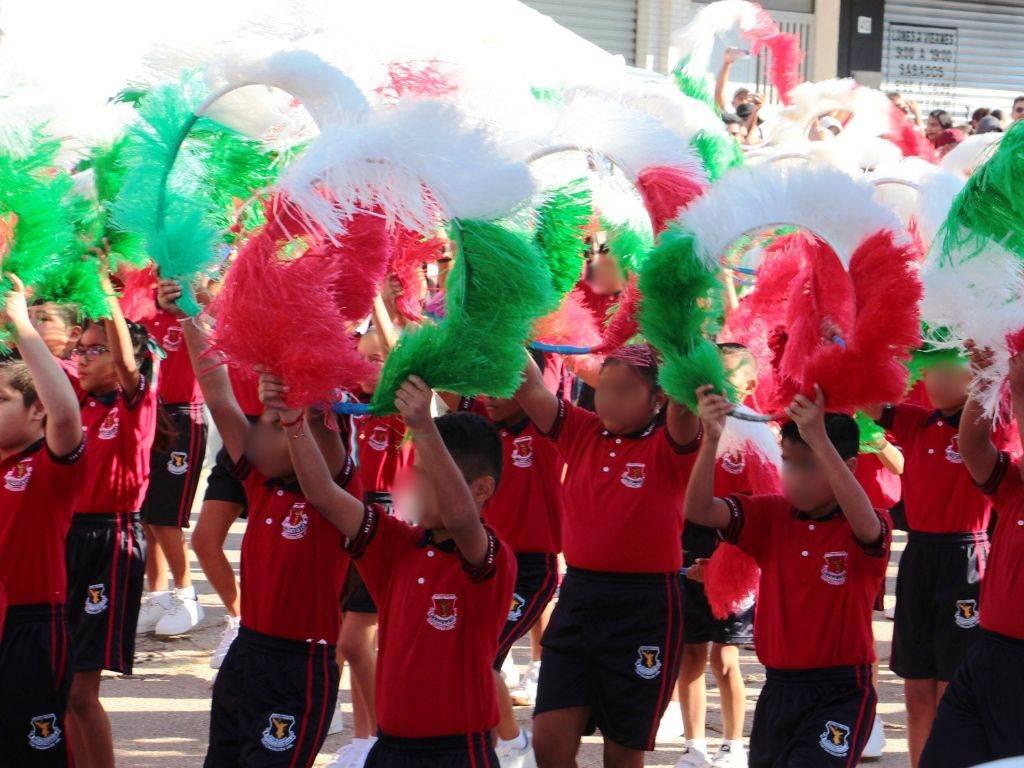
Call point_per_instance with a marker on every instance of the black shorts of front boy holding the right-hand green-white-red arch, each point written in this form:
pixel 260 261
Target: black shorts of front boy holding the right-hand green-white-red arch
pixel 814 718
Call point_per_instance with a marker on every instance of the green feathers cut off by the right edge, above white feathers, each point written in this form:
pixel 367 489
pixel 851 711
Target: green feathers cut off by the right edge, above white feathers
pixel 991 207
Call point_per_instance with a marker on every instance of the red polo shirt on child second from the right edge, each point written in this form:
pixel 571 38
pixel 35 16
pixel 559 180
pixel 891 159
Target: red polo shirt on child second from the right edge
pixel 938 492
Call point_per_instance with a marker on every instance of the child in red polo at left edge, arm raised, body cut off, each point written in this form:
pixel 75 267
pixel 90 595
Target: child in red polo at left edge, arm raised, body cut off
pixel 42 467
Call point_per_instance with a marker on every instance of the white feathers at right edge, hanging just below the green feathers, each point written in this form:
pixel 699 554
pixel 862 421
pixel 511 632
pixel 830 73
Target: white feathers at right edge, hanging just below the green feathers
pixel 979 297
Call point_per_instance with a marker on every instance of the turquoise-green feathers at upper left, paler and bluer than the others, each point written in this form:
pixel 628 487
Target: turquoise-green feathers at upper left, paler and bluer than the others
pixel 161 199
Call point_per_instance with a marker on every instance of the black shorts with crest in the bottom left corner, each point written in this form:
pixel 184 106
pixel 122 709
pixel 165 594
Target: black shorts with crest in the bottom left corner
pixel 34 682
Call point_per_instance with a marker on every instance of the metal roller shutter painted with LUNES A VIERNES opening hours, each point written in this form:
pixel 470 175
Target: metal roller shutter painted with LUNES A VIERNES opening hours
pixel 955 56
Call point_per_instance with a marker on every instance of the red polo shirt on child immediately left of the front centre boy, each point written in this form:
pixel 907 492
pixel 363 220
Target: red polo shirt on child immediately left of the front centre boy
pixel 293 564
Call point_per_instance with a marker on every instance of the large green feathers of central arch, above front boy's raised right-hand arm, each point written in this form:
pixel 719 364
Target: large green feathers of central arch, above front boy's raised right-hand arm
pixel 499 286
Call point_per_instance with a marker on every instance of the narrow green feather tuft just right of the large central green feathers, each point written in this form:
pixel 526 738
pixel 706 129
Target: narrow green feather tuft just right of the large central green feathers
pixel 560 226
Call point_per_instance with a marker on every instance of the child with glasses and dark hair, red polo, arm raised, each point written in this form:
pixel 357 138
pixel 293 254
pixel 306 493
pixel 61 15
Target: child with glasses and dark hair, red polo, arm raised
pixel 106 545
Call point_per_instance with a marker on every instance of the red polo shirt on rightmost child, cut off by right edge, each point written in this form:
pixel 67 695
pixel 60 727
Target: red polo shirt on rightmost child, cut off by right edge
pixel 1003 587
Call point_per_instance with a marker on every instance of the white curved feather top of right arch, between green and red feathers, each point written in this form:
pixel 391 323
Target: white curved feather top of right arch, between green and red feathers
pixel 827 202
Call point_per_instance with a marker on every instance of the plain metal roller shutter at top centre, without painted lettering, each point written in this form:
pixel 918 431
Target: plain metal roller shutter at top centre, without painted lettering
pixel 609 24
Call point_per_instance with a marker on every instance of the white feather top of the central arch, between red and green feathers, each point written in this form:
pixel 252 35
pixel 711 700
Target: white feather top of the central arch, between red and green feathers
pixel 419 161
